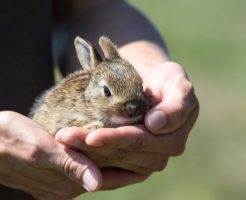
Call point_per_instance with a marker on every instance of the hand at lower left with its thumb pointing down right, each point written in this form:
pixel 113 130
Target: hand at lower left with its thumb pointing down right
pixel 32 161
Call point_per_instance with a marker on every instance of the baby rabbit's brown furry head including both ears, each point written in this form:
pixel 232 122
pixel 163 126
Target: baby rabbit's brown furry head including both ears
pixel 115 92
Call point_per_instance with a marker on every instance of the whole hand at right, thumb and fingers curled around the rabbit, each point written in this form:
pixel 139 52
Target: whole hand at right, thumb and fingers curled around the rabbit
pixel 136 148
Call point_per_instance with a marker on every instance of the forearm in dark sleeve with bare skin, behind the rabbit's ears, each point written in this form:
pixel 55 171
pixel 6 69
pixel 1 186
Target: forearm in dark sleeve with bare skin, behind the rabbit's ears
pixel 134 34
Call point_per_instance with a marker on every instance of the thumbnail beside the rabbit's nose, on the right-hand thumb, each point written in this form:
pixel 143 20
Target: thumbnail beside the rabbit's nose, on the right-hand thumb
pixel 156 120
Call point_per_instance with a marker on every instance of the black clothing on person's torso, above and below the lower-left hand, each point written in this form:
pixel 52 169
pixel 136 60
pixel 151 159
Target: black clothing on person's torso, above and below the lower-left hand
pixel 26 66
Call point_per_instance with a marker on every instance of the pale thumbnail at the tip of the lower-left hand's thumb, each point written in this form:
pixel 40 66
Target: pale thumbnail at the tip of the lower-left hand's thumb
pixel 90 180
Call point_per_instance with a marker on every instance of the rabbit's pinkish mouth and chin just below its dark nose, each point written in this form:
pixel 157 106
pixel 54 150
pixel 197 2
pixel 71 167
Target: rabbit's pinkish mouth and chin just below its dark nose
pixel 117 121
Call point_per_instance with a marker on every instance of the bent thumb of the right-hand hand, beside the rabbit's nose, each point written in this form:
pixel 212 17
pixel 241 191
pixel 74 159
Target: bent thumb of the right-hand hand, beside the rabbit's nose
pixel 173 111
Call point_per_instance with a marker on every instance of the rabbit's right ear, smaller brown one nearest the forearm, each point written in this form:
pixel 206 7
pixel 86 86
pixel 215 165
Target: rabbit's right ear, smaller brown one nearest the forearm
pixel 109 49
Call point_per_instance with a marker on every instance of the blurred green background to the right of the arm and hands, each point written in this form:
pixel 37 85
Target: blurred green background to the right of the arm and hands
pixel 209 39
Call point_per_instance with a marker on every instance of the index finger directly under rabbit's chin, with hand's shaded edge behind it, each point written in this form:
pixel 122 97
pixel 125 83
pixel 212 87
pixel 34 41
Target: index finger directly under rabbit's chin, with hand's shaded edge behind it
pixel 138 138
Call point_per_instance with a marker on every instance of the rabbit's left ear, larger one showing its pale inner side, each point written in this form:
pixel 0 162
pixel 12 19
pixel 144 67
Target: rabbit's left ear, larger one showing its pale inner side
pixel 87 54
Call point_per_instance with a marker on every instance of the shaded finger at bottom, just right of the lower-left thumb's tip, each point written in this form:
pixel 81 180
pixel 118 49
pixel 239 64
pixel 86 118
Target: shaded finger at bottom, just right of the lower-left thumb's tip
pixel 115 178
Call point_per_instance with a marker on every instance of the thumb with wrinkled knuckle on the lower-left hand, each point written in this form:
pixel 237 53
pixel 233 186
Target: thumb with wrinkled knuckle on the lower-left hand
pixel 77 167
